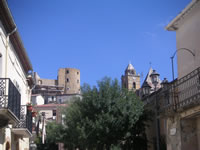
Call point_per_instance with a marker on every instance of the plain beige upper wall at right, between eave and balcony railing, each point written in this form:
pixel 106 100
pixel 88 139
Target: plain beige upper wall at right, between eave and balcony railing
pixel 188 36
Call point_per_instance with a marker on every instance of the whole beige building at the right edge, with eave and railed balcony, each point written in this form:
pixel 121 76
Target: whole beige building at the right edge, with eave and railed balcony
pixel 183 123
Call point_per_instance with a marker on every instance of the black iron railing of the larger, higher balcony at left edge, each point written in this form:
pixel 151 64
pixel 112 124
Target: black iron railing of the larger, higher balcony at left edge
pixel 10 98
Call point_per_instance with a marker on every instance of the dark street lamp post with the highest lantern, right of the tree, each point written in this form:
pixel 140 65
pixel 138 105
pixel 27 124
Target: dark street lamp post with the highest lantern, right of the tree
pixel 155 80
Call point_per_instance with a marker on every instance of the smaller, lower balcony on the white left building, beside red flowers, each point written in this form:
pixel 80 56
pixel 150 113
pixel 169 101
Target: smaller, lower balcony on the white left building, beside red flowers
pixel 24 128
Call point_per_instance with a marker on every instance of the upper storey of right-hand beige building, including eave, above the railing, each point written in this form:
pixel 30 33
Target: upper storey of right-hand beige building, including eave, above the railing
pixel 186 25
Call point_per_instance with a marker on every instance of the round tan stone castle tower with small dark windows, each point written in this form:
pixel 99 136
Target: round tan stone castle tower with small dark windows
pixel 69 78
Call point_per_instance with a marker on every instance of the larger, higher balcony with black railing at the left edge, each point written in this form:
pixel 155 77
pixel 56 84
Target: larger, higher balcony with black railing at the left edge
pixel 10 101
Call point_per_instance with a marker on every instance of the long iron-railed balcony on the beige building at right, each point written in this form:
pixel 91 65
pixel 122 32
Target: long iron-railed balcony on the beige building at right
pixel 182 93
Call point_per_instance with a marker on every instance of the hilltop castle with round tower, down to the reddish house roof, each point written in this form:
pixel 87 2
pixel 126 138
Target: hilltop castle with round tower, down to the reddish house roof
pixel 59 91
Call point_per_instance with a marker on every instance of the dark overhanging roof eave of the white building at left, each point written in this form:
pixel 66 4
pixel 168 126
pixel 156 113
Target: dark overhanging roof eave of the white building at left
pixel 9 25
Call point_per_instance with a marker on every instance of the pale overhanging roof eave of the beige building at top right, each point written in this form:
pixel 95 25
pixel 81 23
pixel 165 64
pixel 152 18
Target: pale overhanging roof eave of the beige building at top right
pixel 174 24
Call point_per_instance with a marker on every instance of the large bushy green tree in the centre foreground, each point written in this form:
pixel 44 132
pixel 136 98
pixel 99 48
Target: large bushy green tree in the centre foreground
pixel 107 116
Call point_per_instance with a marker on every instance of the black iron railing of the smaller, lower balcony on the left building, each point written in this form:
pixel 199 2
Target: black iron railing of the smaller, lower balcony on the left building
pixel 25 119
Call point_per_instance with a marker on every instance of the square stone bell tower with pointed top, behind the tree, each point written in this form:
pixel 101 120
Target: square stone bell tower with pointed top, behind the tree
pixel 130 80
